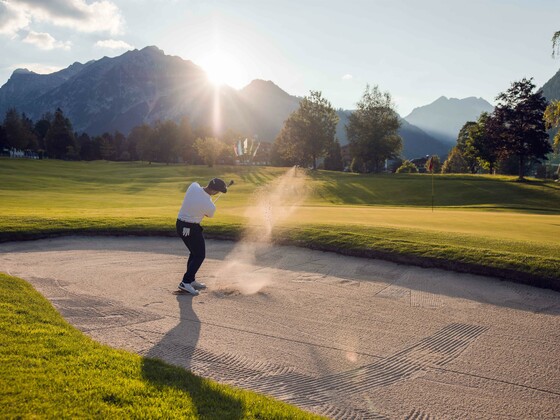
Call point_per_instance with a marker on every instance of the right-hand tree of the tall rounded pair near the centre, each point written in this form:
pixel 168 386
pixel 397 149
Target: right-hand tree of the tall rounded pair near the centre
pixel 372 129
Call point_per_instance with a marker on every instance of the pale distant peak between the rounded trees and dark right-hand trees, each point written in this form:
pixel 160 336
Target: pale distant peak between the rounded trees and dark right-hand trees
pixel 444 118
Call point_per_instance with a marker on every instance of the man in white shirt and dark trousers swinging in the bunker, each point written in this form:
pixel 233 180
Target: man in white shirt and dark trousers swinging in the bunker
pixel 196 204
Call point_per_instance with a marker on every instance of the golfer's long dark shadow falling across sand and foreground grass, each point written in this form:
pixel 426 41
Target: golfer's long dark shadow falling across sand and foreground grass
pixel 178 347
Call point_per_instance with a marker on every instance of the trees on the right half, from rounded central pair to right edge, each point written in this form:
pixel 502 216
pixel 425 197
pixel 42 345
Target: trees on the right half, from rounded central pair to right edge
pixel 509 140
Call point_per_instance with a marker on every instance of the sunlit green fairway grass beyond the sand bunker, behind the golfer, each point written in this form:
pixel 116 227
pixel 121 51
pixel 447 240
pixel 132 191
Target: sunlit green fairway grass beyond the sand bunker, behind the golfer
pixel 483 224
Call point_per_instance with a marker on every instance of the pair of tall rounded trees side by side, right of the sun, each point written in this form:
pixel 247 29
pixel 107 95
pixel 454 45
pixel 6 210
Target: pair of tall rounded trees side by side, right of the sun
pixel 309 133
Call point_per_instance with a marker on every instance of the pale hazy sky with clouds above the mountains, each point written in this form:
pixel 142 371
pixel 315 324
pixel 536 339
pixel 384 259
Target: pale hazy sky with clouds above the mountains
pixel 416 50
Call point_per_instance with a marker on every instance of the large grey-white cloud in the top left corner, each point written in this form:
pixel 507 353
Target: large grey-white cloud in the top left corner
pixel 98 16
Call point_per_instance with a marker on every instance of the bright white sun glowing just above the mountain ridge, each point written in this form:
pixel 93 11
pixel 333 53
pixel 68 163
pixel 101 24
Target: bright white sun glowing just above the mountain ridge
pixel 223 68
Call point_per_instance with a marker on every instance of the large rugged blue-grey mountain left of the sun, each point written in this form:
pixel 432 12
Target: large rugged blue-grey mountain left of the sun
pixel 112 93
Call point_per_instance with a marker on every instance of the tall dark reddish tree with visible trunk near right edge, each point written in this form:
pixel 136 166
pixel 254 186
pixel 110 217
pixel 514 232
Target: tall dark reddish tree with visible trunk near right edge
pixel 519 114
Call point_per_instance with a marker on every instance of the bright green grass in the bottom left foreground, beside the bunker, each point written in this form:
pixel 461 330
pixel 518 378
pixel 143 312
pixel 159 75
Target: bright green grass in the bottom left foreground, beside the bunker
pixel 48 369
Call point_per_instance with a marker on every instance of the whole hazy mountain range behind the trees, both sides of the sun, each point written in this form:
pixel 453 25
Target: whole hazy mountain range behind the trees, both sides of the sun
pixel 143 86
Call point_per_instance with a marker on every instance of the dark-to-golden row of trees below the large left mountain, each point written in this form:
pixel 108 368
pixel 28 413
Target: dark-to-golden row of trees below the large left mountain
pixel 164 141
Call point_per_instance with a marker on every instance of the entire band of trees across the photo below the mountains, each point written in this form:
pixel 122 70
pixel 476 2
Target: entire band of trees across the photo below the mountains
pixel 512 137
